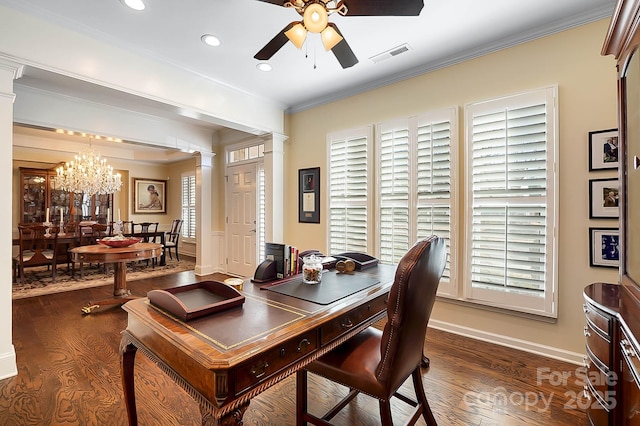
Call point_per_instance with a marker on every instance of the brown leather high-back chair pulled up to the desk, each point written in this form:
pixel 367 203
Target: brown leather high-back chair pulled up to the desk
pixel 376 362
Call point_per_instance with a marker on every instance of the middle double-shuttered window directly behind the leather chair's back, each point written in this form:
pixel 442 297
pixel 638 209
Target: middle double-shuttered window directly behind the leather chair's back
pixel 416 161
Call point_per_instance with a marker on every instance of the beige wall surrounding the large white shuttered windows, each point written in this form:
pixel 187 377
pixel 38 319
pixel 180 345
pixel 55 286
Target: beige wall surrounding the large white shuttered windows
pixel 587 101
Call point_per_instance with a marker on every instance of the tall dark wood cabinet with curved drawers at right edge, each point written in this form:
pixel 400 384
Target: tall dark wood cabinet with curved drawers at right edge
pixel 616 307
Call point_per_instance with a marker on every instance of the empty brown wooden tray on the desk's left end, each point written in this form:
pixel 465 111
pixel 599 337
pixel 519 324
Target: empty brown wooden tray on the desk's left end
pixel 196 300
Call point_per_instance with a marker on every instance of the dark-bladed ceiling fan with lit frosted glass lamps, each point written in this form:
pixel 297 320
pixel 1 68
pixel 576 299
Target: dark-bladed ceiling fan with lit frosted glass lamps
pixel 315 19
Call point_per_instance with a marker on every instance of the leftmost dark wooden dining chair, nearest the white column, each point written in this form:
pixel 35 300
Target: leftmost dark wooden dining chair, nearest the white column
pixel 36 248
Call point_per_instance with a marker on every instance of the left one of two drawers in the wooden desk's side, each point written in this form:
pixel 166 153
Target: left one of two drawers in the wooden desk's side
pixel 257 369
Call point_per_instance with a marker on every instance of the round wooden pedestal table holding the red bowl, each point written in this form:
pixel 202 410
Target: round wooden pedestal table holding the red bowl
pixel 119 256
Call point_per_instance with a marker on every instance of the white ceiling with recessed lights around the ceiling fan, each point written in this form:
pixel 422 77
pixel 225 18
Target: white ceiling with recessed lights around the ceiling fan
pixel 446 32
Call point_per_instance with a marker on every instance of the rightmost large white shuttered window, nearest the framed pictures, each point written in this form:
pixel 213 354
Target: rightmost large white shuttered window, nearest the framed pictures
pixel 511 145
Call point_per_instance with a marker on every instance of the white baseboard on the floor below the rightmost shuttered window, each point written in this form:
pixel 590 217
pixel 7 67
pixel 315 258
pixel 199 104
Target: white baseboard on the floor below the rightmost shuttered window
pixel 510 342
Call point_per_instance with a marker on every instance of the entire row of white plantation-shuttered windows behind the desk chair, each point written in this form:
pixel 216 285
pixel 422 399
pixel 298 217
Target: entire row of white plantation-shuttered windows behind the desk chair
pixel 506 254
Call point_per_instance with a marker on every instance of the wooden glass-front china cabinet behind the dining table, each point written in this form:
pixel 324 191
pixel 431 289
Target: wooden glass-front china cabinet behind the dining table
pixel 39 193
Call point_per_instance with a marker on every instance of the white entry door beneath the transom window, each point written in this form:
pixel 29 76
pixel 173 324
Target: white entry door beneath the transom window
pixel 241 220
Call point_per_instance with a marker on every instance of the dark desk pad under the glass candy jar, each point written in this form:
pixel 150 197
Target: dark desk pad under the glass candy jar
pixel 332 287
